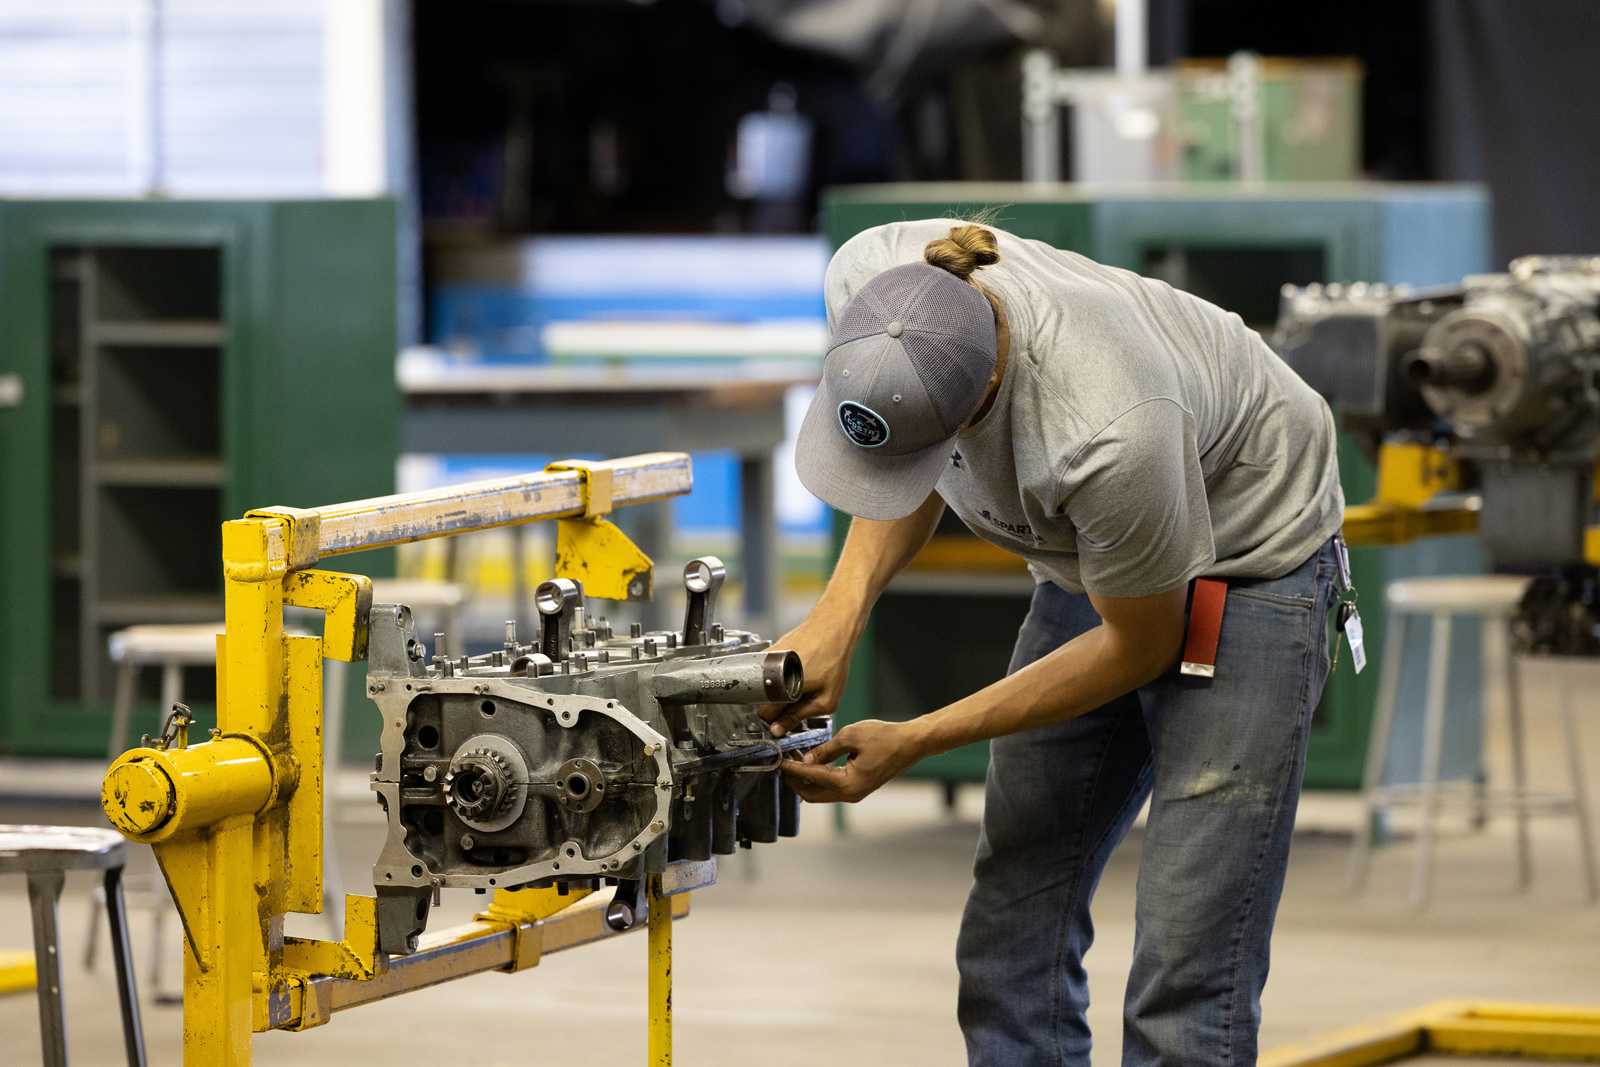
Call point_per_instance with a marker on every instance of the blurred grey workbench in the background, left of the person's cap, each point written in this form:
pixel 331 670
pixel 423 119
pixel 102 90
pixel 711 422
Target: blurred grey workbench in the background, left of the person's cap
pixel 540 410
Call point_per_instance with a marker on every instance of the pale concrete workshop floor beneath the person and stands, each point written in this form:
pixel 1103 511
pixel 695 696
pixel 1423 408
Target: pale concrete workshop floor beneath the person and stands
pixel 841 949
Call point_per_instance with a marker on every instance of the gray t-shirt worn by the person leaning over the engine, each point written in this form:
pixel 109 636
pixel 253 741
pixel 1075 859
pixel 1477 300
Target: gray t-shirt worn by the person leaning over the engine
pixel 1142 436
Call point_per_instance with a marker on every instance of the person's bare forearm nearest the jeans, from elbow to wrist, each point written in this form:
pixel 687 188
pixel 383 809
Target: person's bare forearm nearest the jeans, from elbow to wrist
pixel 1084 674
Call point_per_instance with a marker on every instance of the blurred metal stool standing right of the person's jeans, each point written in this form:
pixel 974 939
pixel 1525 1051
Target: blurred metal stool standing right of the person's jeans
pixel 1494 599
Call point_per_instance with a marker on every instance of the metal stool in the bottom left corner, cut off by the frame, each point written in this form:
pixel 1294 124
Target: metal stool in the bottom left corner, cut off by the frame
pixel 46 853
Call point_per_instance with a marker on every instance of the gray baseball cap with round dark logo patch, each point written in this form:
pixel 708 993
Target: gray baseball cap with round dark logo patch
pixel 906 369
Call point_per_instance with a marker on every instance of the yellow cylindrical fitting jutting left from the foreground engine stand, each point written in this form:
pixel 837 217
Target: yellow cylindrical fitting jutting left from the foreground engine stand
pixel 151 794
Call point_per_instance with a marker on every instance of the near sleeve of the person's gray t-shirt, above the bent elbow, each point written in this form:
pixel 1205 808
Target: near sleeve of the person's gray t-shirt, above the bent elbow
pixel 1137 497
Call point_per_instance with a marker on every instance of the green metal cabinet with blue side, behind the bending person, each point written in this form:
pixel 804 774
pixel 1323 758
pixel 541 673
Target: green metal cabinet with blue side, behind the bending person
pixel 1236 247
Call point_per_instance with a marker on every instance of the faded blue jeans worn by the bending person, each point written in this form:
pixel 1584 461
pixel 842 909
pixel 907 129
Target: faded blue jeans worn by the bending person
pixel 1222 762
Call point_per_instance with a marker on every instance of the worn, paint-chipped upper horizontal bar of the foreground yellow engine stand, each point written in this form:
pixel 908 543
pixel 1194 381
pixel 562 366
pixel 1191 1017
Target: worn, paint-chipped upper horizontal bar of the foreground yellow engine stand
pixel 406 518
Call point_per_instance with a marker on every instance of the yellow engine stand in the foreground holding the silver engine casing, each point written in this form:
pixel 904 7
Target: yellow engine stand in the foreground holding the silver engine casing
pixel 236 821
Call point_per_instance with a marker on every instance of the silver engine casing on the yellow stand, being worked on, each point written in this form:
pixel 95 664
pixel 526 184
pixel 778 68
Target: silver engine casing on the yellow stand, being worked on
pixel 580 759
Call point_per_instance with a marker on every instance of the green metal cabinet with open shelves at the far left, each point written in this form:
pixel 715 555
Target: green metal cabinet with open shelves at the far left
pixel 174 364
